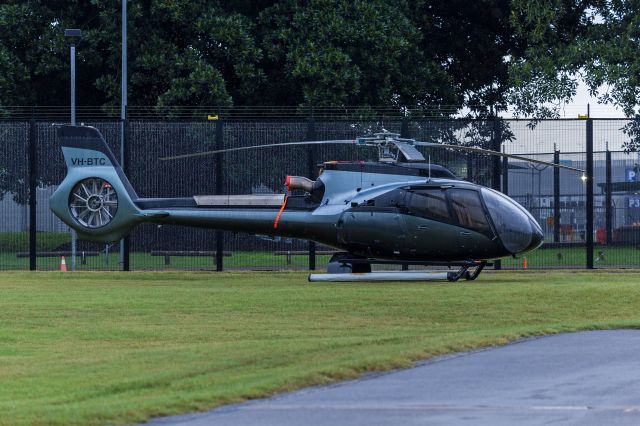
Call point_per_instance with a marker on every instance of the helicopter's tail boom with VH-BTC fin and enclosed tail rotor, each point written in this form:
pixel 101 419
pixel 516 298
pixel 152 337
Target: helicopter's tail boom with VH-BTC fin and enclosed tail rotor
pixel 98 201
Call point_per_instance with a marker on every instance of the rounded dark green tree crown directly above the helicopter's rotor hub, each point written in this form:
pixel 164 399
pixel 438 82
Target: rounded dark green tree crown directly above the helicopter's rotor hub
pixel 348 53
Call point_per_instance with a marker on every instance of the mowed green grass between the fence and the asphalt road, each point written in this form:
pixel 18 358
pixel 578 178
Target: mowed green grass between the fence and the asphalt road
pixel 105 348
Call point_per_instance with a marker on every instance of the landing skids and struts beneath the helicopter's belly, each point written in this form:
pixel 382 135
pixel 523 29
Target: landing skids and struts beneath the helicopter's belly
pixel 347 267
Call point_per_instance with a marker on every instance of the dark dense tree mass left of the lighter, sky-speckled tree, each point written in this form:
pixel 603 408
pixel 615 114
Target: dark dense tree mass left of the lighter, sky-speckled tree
pixel 287 52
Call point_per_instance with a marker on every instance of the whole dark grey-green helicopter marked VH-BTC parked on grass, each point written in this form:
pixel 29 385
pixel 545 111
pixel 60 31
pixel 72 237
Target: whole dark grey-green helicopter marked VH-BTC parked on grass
pixel 398 210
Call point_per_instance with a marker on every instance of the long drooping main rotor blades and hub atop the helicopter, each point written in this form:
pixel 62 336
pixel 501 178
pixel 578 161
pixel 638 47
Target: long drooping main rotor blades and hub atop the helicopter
pixel 389 145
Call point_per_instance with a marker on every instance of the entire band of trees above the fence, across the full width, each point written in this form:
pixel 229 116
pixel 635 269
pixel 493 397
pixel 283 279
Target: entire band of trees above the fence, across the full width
pixel 320 52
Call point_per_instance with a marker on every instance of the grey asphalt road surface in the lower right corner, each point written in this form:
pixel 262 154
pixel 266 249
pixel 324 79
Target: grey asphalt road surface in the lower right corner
pixel 589 378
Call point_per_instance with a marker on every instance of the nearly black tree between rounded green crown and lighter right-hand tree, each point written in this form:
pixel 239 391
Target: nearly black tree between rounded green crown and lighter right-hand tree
pixel 471 41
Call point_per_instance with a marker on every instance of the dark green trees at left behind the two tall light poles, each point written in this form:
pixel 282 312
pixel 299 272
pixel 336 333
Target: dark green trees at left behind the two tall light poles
pixel 180 52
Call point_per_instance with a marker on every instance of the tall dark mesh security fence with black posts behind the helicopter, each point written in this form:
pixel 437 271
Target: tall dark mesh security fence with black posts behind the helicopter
pixel 602 231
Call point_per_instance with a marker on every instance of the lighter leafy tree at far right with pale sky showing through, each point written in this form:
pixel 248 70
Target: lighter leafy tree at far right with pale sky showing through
pixel 568 40
